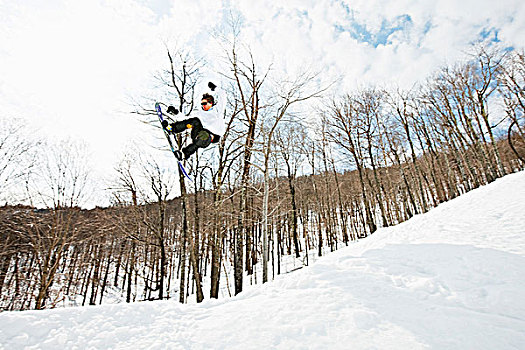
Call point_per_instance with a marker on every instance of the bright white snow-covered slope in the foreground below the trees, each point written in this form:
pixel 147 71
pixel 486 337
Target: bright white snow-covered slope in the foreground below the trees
pixel 453 278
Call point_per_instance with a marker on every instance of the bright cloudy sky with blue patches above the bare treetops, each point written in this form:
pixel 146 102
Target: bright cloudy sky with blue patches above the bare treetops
pixel 70 68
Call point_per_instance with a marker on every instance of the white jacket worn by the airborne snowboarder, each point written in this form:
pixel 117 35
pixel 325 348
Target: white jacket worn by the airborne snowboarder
pixel 213 119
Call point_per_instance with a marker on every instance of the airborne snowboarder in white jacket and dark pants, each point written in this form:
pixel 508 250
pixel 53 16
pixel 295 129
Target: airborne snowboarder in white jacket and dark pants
pixel 207 125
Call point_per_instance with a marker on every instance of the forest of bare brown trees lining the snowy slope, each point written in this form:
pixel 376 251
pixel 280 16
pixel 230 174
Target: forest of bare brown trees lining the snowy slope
pixel 299 173
